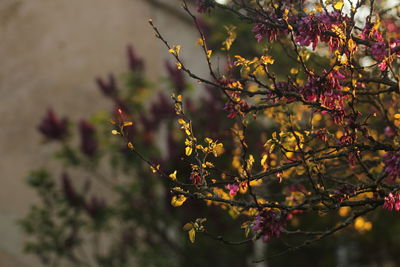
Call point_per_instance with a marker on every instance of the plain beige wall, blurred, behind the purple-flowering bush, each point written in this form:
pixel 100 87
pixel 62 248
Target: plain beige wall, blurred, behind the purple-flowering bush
pixel 51 51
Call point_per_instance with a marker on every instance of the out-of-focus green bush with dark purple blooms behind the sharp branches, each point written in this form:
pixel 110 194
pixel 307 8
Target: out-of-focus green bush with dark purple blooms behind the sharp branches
pixel 107 208
